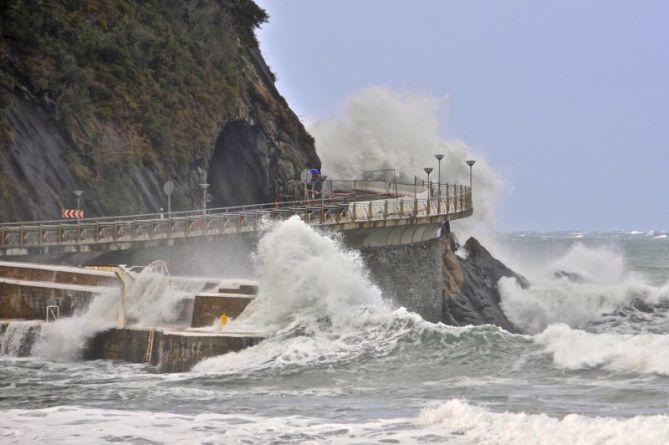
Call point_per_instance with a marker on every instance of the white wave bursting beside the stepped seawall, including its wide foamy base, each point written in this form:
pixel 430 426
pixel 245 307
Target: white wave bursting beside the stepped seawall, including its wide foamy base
pixel 319 308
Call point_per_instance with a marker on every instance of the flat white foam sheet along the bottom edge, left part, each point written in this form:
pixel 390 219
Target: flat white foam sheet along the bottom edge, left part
pixel 74 425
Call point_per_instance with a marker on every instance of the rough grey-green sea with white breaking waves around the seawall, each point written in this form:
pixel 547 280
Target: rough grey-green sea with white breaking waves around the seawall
pixel 343 365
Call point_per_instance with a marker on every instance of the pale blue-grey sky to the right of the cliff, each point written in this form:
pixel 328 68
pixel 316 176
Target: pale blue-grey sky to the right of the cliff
pixel 568 100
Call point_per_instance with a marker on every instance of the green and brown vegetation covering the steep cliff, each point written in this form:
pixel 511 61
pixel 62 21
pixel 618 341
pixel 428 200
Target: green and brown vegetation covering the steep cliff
pixel 141 84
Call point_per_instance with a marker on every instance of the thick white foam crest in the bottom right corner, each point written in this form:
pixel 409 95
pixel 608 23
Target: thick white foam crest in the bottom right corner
pixel 468 424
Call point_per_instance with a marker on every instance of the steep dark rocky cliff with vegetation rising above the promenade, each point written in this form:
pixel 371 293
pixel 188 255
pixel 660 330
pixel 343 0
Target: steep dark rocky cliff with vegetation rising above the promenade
pixel 116 97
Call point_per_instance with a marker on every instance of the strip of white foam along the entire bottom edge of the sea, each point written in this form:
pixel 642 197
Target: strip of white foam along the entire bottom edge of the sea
pixel 453 421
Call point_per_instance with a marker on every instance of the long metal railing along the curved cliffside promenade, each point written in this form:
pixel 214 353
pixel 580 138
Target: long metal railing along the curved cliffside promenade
pixel 330 211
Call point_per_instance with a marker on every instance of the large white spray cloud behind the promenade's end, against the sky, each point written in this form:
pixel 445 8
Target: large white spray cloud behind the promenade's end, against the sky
pixel 382 128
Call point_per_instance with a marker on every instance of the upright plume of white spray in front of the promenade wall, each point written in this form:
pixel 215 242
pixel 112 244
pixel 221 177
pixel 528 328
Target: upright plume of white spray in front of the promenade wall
pixel 307 275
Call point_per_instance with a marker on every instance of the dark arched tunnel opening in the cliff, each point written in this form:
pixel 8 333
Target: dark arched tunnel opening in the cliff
pixel 242 168
